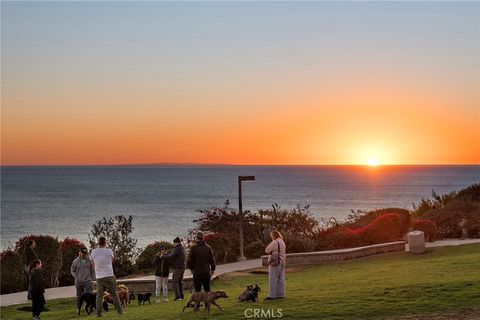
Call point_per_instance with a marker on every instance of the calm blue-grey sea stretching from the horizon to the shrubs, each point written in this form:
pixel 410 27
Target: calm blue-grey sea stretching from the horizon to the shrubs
pixel 66 201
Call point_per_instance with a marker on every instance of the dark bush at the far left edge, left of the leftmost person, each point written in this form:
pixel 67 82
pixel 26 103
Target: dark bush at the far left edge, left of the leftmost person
pixel 11 269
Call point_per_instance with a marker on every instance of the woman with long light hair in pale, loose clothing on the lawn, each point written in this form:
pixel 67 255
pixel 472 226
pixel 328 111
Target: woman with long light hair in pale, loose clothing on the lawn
pixel 276 266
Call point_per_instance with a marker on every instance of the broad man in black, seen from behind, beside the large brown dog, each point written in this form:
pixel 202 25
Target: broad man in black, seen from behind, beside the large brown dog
pixel 202 263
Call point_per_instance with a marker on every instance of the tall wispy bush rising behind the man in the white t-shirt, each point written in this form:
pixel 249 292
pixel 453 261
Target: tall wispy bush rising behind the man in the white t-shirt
pixel 117 230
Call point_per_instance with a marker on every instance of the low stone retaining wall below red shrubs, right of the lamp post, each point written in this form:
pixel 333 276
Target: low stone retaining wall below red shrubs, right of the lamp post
pixel 319 257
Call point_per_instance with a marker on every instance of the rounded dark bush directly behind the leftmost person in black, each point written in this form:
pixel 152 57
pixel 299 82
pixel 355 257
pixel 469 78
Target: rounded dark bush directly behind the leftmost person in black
pixel 48 251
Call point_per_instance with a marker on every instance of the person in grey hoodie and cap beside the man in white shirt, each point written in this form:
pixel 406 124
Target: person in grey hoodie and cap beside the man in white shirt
pixel 83 272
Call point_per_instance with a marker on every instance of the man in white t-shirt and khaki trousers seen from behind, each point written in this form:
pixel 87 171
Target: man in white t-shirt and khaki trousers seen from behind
pixel 102 261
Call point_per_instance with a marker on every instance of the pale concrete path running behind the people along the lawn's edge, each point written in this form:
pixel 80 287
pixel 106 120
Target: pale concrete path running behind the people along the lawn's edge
pixel 68 292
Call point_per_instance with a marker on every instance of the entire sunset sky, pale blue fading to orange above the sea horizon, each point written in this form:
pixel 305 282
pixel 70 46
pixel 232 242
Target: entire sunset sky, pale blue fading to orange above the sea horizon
pixel 240 83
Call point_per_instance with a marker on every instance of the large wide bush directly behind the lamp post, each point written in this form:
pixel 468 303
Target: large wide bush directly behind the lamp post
pixel 221 225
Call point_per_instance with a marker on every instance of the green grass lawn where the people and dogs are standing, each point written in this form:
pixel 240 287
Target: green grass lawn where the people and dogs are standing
pixel 443 280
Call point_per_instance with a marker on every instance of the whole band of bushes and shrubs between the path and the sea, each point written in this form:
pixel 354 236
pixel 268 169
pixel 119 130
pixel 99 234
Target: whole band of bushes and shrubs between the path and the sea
pixel 438 217
